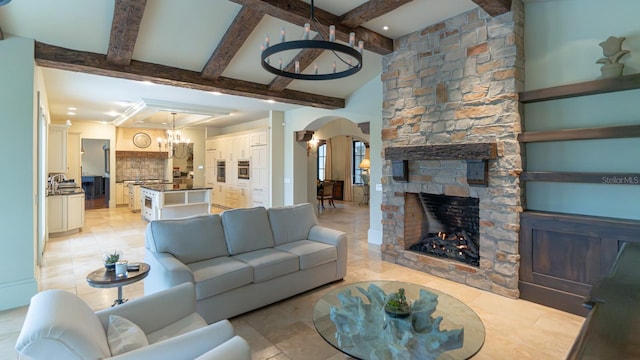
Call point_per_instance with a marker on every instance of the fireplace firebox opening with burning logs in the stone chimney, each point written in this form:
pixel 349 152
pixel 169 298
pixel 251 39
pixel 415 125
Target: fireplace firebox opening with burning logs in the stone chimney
pixel 444 226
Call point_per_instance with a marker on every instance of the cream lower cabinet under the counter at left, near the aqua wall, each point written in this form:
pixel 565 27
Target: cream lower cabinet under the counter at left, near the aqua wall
pixel 65 213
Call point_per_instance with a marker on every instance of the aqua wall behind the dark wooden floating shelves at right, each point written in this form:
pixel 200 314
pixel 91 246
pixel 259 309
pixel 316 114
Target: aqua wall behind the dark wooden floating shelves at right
pixel 561 47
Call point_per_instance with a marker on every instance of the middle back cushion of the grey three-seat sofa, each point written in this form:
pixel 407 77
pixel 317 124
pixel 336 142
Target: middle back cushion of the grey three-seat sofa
pixel 247 230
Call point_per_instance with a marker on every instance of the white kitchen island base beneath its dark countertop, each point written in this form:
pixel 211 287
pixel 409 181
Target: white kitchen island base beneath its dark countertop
pixel 162 201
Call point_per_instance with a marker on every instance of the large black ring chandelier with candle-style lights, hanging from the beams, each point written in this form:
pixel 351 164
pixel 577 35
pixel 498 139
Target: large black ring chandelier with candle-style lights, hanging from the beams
pixel 347 55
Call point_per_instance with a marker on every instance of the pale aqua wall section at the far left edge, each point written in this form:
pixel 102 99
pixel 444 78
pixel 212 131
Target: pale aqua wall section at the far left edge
pixel 18 197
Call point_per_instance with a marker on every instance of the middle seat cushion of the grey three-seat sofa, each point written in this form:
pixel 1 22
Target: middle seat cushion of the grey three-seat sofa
pixel 269 263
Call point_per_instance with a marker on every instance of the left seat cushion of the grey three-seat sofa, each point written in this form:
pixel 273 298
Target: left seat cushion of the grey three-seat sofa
pixel 215 276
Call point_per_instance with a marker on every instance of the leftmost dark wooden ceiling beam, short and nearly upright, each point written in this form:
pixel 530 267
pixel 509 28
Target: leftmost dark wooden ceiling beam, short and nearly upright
pixel 127 16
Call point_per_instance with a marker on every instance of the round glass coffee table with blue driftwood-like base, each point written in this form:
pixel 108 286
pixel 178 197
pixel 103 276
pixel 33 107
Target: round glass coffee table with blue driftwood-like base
pixel 353 320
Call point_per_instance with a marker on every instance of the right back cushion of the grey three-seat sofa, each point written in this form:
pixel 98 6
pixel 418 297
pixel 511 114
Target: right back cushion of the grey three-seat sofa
pixel 291 223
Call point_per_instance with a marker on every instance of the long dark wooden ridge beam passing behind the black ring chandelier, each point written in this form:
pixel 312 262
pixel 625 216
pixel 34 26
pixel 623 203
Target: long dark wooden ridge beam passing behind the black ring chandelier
pixel 298 12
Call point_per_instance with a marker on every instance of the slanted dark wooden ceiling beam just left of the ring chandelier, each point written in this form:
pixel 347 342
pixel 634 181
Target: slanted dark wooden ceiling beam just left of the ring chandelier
pixel 242 26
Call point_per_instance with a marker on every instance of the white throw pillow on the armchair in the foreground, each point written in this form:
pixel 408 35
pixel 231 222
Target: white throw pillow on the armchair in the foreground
pixel 123 335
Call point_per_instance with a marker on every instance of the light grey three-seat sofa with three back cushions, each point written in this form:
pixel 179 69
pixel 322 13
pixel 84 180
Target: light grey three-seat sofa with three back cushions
pixel 244 259
